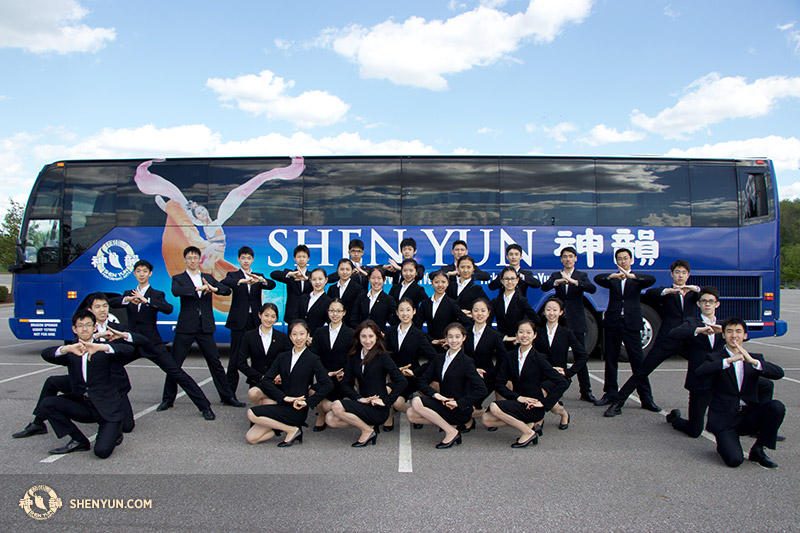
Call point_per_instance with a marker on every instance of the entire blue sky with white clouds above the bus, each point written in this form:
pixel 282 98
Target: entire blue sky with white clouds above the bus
pixel 105 79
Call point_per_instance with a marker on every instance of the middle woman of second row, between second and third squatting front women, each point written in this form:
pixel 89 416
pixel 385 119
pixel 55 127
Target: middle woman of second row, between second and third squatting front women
pixel 406 354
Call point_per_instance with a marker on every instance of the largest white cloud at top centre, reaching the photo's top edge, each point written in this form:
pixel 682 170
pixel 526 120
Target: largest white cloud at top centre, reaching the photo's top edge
pixel 420 53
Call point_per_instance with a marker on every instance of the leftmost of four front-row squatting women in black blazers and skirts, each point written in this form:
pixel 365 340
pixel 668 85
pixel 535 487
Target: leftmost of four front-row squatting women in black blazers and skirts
pixel 297 369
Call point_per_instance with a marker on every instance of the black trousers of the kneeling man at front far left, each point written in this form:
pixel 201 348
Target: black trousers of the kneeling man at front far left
pixel 60 411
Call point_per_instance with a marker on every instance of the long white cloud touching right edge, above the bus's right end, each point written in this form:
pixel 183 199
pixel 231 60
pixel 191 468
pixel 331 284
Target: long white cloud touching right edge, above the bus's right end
pixel 712 99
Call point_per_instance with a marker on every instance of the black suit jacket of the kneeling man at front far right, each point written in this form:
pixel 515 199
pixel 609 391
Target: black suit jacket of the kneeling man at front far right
pixel 725 393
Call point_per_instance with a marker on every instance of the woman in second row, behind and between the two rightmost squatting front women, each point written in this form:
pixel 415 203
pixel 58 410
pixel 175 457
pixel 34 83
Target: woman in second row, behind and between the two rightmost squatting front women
pixel 487 353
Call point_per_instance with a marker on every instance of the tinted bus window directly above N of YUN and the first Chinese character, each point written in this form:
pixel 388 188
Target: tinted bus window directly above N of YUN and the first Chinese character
pixel 560 193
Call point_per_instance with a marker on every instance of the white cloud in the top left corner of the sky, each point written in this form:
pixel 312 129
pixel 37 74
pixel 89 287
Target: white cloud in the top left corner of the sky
pixel 41 26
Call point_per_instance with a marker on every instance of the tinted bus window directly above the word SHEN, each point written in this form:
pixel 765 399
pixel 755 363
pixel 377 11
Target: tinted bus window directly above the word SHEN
pixel 343 192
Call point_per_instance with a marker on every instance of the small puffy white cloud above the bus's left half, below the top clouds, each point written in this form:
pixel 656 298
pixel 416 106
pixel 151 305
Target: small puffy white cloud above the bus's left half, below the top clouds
pixel 265 94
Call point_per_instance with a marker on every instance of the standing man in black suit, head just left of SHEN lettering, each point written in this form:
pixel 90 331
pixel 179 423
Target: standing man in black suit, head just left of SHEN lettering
pixel 246 287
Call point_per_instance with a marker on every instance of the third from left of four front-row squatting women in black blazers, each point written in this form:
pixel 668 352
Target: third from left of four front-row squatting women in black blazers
pixel 460 387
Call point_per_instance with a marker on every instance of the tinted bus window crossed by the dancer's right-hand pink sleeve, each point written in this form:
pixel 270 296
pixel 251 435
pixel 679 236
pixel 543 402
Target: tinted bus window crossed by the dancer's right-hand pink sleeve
pixel 253 193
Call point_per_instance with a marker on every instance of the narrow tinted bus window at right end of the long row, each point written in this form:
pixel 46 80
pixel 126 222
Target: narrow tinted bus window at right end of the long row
pixel 713 190
